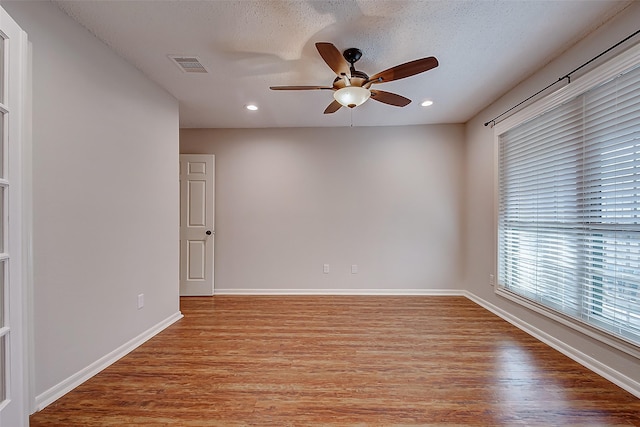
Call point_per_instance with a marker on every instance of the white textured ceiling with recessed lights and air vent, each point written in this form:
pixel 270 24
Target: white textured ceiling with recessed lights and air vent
pixel 484 49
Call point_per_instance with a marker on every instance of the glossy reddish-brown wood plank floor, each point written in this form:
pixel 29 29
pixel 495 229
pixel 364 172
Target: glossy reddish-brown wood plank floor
pixel 339 361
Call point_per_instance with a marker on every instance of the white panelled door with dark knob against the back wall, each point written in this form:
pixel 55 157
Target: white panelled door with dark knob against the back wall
pixel 197 233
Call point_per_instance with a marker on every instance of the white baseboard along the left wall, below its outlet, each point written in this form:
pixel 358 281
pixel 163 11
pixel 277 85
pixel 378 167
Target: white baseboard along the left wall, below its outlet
pixel 62 388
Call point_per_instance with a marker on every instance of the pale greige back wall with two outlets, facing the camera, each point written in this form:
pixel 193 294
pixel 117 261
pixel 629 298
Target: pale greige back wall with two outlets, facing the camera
pixel 290 200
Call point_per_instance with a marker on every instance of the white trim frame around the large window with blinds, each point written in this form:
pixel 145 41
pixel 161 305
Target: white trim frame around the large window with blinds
pixel 604 72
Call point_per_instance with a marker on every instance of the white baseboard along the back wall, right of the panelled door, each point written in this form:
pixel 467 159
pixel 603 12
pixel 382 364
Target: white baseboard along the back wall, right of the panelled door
pixel 364 292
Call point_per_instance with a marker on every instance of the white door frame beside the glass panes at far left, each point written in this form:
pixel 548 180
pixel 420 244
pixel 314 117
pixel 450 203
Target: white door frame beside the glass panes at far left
pixel 18 86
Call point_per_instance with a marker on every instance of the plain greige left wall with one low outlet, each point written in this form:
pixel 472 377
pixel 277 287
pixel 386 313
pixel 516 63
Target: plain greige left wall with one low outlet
pixel 105 196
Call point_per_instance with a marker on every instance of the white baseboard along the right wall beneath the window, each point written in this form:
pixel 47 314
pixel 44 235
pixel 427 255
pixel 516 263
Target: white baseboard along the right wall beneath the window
pixel 585 360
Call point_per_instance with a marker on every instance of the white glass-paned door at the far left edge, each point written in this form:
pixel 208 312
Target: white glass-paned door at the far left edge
pixel 13 71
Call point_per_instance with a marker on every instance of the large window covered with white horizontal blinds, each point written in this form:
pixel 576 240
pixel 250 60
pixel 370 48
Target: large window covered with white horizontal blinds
pixel 569 203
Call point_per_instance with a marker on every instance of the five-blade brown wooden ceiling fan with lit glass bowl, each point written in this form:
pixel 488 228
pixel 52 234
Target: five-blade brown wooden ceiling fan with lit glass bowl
pixel 352 87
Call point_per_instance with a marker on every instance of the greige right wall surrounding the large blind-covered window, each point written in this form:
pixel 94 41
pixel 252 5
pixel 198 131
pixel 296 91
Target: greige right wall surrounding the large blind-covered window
pixel 479 226
